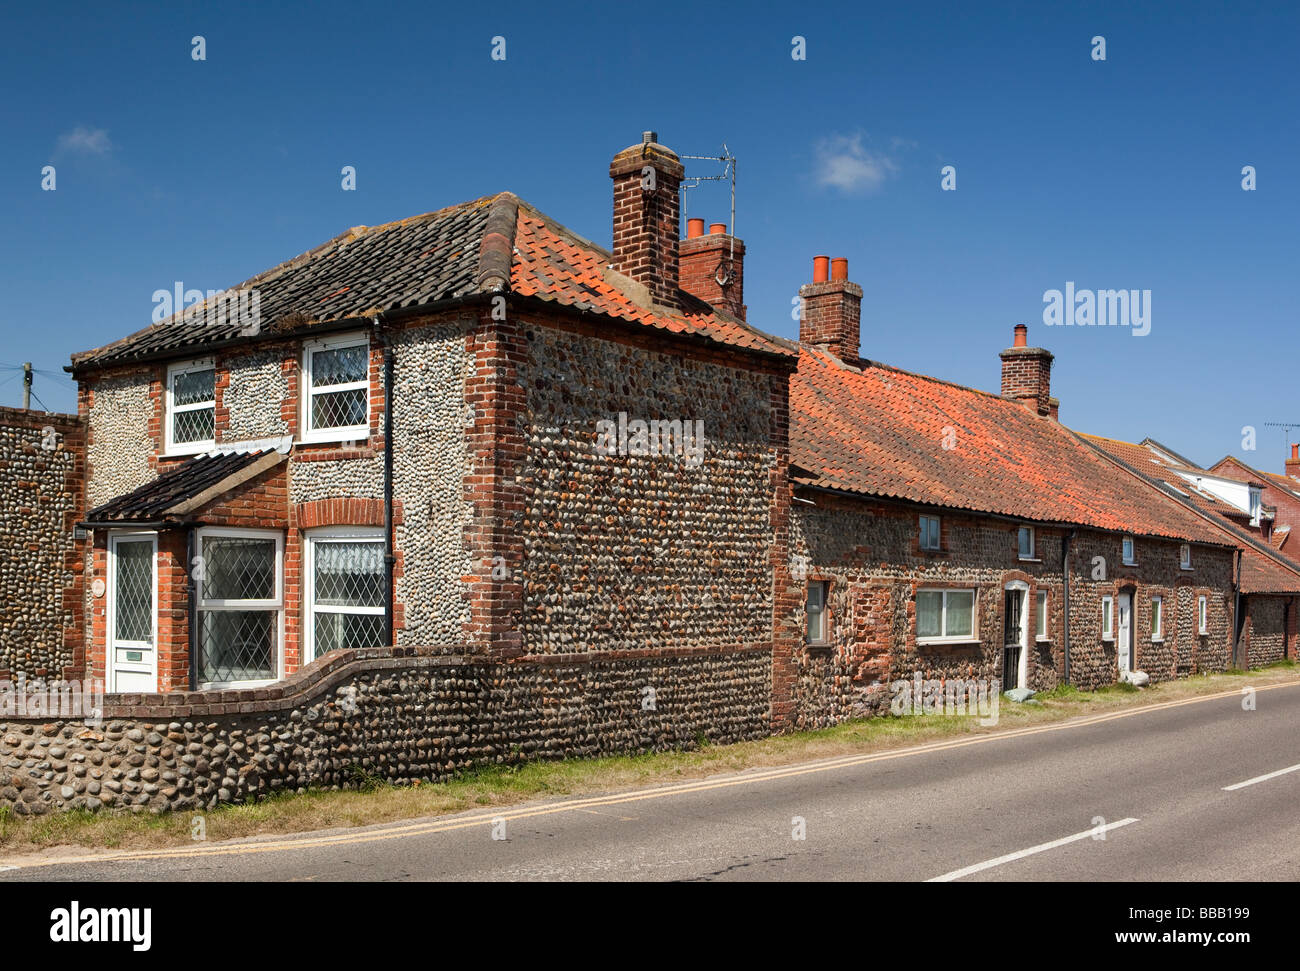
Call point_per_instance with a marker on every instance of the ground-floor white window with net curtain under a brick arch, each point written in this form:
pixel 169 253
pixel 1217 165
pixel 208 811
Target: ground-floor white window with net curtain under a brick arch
pixel 345 591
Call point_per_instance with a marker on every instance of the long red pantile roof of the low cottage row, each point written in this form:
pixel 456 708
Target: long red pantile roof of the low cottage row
pixel 882 432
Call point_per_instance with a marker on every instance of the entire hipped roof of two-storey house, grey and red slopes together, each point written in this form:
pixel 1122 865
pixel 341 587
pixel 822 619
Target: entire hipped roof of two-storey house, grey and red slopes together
pixel 457 253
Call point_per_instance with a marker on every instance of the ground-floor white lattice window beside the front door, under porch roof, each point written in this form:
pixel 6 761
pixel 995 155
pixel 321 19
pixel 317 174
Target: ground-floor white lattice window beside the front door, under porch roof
pixel 241 606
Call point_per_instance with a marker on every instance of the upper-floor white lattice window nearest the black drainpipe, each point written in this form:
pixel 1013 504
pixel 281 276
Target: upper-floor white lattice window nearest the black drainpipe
pixel 337 389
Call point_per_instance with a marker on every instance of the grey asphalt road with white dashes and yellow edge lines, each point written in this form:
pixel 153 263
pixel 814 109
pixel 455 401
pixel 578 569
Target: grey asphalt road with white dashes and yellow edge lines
pixel 1028 805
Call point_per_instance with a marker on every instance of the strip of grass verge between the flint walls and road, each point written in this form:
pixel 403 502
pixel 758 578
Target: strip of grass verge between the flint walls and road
pixel 506 786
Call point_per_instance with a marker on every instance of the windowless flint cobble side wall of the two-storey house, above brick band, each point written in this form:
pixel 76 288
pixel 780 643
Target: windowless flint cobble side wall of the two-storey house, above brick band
pixel 634 552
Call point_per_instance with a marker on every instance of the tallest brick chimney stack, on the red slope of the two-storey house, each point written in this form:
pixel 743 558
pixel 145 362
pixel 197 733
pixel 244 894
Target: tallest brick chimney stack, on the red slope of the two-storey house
pixel 647 177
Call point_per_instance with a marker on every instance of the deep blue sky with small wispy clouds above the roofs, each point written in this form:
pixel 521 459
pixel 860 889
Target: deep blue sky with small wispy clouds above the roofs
pixel 1124 174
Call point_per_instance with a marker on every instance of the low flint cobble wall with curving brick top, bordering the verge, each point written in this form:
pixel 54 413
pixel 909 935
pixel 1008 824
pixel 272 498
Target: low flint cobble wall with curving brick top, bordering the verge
pixel 388 714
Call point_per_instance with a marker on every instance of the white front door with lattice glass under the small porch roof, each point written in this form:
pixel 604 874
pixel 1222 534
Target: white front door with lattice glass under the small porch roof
pixel 133 613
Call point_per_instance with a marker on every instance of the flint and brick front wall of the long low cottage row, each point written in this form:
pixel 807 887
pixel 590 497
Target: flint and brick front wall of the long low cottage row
pixel 870 557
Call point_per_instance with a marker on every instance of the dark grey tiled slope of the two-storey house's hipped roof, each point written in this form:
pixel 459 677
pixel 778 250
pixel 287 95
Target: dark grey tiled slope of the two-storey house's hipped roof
pixel 357 275
